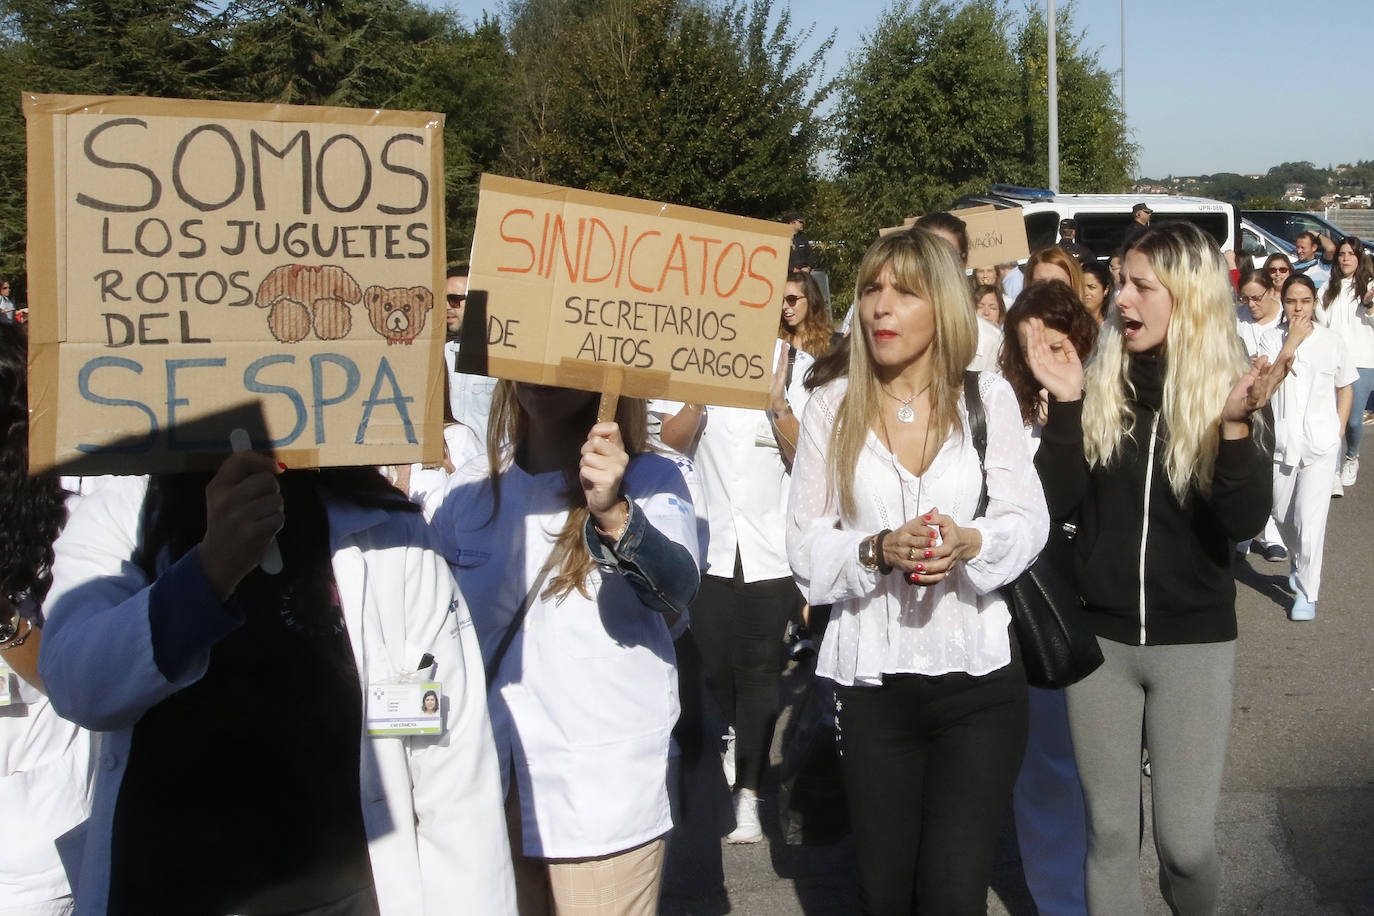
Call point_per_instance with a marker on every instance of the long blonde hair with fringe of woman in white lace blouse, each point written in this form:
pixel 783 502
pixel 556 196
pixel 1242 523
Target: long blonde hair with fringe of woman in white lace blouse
pixel 927 266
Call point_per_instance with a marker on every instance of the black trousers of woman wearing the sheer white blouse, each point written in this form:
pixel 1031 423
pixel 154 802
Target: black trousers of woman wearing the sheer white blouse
pixel 928 766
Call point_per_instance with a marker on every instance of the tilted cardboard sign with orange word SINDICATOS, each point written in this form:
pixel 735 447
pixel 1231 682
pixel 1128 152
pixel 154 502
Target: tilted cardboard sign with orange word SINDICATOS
pixel 684 303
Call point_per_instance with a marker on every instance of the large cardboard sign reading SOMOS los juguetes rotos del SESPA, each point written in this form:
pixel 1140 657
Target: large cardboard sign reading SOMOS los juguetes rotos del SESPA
pixel 199 263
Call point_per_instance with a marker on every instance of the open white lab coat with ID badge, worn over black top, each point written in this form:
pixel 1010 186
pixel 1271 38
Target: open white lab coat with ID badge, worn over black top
pixel 432 807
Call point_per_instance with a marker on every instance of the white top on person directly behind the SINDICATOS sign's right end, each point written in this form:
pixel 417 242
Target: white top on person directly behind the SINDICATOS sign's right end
pixel 744 483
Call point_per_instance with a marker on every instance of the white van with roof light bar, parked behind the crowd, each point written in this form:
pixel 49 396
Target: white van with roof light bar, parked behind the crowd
pixel 1104 219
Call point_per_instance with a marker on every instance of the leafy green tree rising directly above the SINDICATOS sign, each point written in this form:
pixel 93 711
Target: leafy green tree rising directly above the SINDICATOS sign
pixel 668 100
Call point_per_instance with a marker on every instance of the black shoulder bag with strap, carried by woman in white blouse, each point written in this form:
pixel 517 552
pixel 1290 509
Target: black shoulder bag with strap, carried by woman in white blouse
pixel 1057 648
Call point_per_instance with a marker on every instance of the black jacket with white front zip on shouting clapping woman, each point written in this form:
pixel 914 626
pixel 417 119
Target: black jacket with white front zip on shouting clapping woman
pixel 1185 550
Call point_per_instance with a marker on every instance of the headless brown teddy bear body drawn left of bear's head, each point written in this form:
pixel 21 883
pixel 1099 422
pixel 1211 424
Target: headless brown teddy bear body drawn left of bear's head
pixel 302 297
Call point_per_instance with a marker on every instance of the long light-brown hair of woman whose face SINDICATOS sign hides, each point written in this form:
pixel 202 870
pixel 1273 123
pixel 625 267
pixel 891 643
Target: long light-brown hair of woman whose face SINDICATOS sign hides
pixel 506 433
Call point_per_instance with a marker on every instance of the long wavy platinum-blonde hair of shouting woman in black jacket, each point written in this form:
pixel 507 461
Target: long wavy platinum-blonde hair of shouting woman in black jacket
pixel 1204 360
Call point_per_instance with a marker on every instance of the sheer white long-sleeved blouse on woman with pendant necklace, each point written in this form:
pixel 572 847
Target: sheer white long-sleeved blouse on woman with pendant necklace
pixel 881 624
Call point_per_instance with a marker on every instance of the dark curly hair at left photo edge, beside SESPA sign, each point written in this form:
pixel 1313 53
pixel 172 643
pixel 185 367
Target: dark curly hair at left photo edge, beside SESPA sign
pixel 35 507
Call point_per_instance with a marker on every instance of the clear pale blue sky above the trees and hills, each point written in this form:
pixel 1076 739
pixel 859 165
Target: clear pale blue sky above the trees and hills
pixel 1208 84
